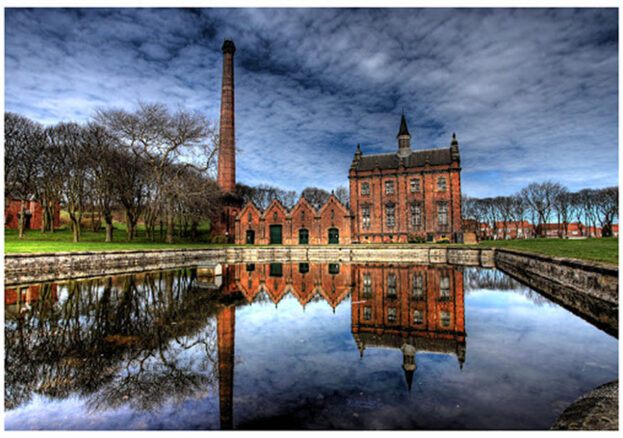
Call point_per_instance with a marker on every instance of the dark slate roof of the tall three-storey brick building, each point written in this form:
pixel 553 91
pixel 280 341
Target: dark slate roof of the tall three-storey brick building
pixel 416 159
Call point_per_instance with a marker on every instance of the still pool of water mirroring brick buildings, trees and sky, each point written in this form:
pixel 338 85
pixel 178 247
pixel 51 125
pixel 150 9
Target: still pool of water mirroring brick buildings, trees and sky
pixel 296 346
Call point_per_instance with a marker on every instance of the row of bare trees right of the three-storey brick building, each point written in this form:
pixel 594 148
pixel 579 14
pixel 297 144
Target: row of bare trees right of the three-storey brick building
pixel 541 203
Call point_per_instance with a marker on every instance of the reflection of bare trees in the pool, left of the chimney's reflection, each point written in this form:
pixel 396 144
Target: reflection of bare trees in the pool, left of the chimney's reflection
pixel 117 341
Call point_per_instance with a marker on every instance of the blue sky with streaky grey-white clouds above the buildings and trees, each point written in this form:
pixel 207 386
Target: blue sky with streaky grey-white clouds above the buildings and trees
pixel 531 93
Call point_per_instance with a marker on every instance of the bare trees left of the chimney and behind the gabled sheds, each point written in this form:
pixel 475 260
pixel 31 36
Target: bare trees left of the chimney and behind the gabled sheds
pixel 149 164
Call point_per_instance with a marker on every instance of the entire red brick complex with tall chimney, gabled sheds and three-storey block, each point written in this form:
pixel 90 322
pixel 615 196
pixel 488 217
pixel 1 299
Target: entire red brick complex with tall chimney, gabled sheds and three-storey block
pixel 393 197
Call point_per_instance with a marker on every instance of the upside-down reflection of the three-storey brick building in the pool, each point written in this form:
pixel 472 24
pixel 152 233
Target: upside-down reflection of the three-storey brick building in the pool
pixel 410 308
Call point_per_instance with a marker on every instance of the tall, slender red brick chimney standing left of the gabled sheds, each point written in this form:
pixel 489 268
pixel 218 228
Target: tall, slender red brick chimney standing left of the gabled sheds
pixel 227 143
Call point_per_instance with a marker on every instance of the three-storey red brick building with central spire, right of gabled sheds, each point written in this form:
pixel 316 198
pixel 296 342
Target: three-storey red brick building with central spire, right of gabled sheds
pixel 406 193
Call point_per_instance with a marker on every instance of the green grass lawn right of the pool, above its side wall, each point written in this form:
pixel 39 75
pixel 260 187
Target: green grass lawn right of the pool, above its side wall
pixel 604 250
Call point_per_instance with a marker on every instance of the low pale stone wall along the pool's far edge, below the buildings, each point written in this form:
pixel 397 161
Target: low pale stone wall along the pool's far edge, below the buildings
pixel 29 268
